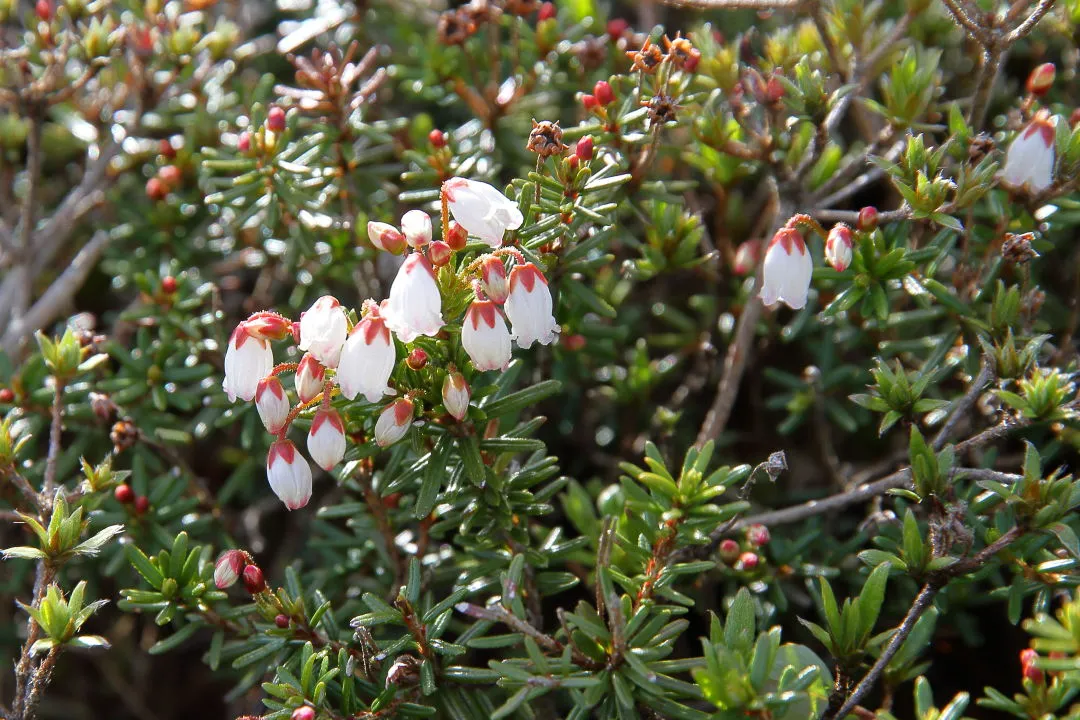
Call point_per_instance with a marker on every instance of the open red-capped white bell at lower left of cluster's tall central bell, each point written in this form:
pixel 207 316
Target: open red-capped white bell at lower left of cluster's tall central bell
pixel 369 359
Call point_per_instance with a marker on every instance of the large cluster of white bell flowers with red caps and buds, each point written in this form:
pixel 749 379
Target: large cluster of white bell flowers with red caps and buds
pixel 359 361
